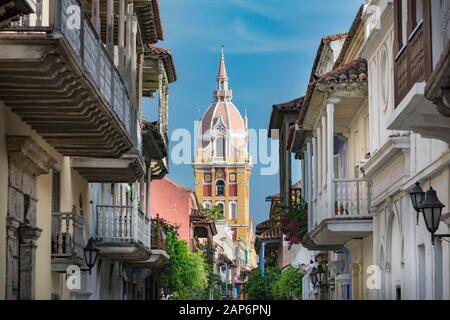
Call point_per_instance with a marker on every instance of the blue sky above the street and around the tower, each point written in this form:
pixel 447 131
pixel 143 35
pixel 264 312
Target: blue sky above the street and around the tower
pixel 270 46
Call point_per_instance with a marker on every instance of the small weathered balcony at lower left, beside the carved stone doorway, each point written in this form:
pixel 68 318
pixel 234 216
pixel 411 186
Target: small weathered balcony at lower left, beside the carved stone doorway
pixel 67 240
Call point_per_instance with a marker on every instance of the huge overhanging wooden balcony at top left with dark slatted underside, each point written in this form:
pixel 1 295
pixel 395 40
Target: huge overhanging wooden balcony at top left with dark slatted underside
pixel 59 78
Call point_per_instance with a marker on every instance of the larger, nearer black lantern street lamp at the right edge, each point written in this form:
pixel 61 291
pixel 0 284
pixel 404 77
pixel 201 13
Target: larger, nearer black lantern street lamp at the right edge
pixel 431 208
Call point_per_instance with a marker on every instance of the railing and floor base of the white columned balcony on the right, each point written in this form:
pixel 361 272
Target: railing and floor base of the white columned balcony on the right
pixel 348 218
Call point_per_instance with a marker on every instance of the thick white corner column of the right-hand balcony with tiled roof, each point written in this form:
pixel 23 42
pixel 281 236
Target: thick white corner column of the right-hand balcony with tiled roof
pixel 330 157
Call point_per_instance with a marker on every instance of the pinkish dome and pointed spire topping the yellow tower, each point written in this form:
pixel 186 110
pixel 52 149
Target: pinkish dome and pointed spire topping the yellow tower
pixel 222 116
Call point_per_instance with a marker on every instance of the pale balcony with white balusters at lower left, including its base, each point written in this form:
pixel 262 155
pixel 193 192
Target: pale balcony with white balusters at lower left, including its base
pixel 123 233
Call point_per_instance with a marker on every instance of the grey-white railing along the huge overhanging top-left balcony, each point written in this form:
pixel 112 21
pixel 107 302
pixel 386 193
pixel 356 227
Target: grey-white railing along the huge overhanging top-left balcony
pixel 69 21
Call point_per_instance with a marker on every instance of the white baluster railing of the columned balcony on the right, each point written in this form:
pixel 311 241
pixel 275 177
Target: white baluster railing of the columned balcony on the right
pixel 351 199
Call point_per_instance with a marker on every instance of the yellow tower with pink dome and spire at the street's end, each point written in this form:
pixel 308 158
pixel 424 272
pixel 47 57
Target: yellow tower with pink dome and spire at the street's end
pixel 223 166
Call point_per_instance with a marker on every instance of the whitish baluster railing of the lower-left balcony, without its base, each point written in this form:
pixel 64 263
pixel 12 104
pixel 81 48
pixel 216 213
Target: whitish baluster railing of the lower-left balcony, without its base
pixel 122 224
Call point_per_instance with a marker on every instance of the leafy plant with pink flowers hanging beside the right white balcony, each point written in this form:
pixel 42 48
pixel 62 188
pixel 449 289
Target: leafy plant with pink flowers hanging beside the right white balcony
pixel 294 220
